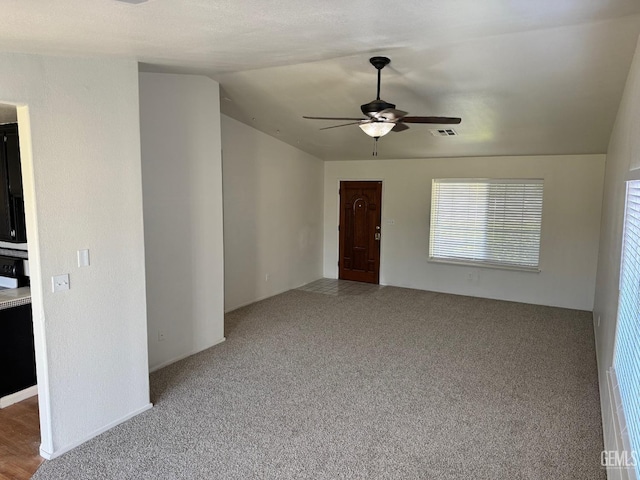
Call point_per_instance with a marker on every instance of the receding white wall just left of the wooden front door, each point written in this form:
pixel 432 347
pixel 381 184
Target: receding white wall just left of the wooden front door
pixel 272 215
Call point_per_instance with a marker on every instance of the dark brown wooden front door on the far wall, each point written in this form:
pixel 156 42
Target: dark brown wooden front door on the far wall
pixel 360 215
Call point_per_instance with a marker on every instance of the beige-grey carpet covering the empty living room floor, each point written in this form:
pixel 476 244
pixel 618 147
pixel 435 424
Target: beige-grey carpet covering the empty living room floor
pixel 389 384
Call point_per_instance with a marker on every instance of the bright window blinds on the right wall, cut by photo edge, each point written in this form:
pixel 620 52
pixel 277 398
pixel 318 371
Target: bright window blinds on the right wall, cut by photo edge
pixel 627 350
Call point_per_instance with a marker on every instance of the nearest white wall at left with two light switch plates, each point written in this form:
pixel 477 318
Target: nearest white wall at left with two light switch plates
pixel 80 147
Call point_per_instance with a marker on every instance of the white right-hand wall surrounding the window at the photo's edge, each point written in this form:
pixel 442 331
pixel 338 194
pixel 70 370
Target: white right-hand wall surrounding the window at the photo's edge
pixel 623 155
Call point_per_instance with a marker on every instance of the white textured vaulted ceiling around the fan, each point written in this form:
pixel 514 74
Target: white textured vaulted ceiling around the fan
pixel 526 77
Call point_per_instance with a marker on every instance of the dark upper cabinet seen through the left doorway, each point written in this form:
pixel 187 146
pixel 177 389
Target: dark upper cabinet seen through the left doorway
pixel 12 225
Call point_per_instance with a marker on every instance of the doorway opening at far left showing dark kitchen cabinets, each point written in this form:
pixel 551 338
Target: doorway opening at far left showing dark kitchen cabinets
pixel 20 402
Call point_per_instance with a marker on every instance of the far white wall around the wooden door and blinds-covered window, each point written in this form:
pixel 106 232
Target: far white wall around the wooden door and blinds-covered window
pixel 570 226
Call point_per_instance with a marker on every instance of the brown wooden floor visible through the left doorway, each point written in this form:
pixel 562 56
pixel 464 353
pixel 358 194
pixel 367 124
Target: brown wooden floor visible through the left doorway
pixel 19 440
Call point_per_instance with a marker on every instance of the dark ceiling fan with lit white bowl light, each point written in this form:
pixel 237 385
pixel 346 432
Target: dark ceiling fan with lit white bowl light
pixel 382 117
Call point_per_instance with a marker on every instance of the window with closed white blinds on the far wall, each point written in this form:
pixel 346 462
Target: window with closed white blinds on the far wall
pixel 486 222
